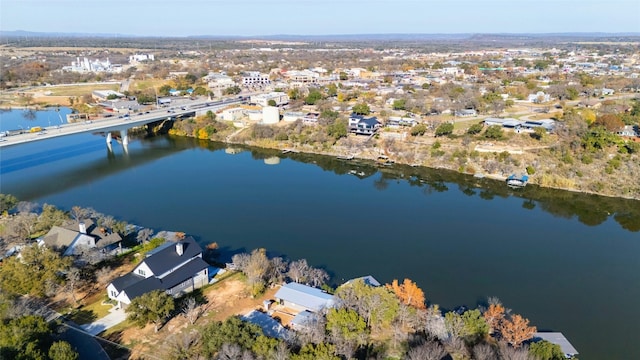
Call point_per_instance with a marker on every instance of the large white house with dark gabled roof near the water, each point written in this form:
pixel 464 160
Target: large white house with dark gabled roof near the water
pixel 175 267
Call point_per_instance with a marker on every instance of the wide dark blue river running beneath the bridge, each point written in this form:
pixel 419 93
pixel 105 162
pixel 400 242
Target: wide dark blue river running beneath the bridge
pixel 569 262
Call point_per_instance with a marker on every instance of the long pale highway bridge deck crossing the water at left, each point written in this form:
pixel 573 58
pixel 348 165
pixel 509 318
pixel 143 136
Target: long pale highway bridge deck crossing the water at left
pixel 117 123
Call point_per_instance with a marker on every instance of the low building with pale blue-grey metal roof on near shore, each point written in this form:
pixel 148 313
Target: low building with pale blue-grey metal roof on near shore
pixel 300 297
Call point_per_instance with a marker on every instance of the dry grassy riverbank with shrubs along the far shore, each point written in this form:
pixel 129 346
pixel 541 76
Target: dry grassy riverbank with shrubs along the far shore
pixel 451 154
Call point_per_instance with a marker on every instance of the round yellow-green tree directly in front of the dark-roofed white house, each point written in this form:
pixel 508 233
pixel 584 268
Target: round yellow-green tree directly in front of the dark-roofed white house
pixel 152 307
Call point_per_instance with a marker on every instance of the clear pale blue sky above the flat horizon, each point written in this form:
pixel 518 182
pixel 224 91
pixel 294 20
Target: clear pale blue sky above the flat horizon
pixel 317 17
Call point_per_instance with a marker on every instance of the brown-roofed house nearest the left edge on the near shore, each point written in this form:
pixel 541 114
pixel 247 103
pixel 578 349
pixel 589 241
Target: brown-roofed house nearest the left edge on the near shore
pixel 71 238
